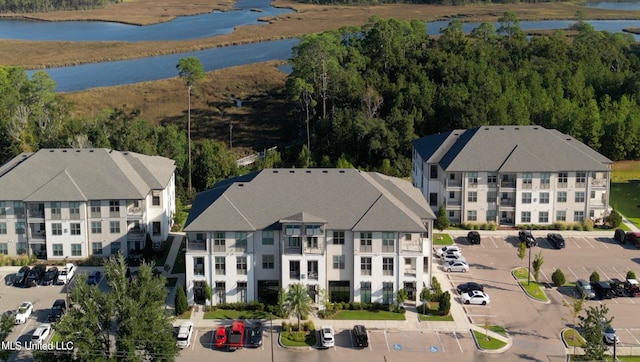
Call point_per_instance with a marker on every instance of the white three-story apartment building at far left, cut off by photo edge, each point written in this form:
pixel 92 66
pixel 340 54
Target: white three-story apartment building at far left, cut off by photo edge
pixel 76 203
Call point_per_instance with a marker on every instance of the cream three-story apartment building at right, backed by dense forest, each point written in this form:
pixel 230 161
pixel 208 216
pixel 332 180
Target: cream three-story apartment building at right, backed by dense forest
pixel 511 175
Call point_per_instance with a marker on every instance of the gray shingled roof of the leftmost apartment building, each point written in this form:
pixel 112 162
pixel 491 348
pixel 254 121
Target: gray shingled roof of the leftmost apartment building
pixel 83 174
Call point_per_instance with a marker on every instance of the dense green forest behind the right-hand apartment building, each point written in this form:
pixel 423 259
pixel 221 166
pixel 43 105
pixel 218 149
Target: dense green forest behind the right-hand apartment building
pixel 366 93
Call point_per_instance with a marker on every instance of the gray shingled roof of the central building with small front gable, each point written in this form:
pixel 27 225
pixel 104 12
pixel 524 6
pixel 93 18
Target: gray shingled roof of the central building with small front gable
pixel 346 199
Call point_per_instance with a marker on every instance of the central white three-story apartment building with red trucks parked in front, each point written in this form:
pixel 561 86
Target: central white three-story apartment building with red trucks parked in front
pixel 358 236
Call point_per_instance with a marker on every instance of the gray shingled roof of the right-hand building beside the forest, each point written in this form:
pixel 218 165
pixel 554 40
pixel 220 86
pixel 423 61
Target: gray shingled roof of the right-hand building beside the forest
pixel 511 149
